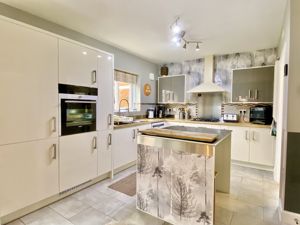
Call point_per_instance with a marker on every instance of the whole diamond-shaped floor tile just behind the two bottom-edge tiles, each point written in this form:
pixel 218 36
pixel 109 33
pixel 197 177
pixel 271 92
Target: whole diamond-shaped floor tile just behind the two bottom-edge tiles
pixel 69 207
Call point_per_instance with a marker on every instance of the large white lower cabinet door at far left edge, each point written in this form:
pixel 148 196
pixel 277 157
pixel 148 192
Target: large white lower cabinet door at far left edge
pixel 28 173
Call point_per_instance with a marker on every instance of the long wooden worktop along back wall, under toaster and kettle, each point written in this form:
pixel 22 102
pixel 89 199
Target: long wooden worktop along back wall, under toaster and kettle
pixel 149 121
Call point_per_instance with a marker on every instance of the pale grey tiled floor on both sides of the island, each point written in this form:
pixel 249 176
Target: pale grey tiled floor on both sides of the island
pixel 253 201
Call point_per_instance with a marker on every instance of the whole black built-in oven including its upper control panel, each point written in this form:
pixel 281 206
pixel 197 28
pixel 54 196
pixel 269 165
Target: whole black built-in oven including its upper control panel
pixel 78 109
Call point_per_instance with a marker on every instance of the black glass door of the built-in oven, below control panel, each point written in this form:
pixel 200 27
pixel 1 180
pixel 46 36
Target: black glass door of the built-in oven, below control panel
pixel 77 116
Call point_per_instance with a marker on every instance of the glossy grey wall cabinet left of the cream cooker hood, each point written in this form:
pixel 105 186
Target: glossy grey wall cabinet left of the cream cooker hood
pixel 173 89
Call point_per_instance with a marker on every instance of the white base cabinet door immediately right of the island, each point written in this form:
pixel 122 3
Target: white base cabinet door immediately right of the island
pixel 239 143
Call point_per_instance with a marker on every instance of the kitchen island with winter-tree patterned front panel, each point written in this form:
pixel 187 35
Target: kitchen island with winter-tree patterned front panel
pixel 178 170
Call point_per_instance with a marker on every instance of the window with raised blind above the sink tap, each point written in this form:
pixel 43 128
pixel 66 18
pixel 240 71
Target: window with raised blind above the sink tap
pixel 126 92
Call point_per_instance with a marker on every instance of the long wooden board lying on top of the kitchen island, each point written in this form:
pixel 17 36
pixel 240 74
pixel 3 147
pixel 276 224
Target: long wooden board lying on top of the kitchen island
pixel 186 135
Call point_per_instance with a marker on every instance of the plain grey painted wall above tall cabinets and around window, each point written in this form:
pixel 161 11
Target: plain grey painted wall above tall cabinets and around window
pixel 123 60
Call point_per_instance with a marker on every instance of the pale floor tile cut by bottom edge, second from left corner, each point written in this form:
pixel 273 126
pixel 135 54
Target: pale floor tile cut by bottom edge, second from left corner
pixel 90 216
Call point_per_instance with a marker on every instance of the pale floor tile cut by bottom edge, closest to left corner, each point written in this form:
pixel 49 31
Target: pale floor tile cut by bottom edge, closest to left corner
pixel 45 216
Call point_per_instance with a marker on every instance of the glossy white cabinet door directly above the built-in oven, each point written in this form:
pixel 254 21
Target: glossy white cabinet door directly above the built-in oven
pixel 77 64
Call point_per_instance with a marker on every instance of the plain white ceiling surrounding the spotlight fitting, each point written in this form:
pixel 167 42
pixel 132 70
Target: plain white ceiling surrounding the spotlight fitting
pixel 142 27
